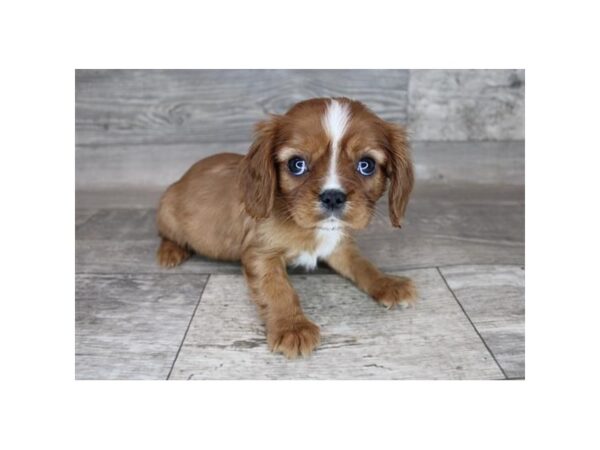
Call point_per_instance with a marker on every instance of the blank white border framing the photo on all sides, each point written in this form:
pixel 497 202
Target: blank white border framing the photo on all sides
pixel 43 42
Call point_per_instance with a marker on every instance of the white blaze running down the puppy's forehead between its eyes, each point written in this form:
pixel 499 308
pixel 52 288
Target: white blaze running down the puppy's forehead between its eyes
pixel 335 121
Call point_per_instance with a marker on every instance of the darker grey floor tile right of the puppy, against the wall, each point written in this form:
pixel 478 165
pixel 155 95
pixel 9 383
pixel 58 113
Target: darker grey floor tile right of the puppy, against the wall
pixel 448 225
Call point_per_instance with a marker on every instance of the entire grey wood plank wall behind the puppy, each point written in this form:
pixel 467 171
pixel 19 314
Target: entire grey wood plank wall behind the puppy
pixel 140 129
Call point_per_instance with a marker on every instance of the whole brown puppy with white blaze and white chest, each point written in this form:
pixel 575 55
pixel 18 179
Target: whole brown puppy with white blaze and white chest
pixel 310 177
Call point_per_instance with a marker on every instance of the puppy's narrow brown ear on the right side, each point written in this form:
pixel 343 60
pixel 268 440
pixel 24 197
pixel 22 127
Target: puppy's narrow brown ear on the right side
pixel 400 172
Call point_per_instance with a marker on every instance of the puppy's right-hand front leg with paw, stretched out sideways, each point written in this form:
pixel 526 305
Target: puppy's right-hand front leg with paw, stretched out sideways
pixel 388 290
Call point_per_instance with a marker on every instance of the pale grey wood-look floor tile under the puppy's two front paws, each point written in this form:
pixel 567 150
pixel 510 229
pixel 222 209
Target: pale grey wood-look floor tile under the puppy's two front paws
pixel 359 339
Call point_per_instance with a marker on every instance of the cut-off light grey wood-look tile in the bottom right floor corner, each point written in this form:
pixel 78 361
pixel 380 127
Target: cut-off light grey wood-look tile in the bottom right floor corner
pixel 494 299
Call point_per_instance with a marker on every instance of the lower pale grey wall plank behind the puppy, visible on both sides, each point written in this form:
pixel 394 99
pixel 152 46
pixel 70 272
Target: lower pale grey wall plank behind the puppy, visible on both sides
pixel 154 167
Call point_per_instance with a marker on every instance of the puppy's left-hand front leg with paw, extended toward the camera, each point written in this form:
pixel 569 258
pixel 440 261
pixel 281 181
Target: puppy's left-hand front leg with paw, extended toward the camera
pixel 288 329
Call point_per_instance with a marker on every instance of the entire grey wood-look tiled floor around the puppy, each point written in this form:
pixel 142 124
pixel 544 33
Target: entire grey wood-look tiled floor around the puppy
pixel 462 244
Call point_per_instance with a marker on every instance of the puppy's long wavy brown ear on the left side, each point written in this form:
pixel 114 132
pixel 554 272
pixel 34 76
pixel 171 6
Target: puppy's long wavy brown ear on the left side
pixel 258 178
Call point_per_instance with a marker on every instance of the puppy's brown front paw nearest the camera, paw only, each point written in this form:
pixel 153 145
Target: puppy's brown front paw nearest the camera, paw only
pixel 293 338
